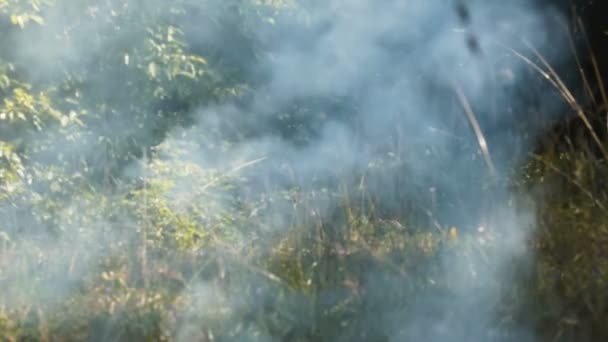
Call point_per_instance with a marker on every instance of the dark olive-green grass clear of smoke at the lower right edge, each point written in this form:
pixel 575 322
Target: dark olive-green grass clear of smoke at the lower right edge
pixel 572 269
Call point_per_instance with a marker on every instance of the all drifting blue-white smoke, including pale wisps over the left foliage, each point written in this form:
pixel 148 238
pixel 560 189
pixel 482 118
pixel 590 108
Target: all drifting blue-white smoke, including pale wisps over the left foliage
pixel 383 78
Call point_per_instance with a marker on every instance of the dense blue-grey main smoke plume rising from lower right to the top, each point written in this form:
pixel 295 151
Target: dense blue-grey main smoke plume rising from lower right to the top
pixel 398 65
